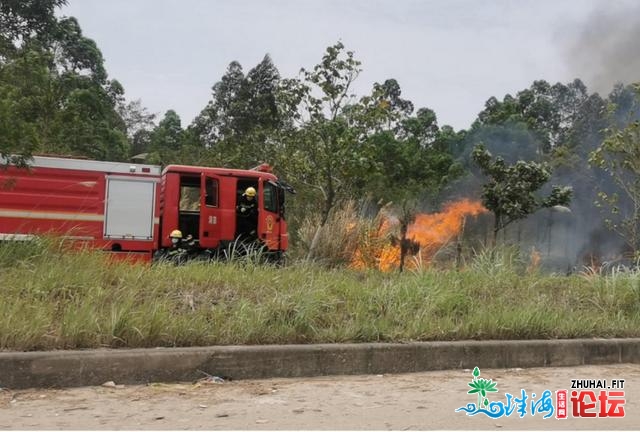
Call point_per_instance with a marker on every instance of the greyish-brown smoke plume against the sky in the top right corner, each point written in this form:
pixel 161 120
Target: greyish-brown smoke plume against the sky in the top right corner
pixel 605 50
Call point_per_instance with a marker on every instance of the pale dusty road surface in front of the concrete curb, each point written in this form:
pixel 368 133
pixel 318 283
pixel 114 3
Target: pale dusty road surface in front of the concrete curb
pixel 399 402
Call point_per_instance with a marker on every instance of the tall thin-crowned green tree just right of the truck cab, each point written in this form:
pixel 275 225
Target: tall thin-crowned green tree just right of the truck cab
pixel 327 147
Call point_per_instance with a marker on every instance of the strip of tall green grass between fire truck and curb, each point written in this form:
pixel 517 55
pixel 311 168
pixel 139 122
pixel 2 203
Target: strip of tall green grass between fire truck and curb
pixel 52 299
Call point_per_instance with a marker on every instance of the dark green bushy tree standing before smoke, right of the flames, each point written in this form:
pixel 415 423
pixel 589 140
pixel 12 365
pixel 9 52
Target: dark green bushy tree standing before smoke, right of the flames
pixel 510 192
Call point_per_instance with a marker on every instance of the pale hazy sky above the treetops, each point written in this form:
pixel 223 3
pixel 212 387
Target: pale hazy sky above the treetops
pixel 450 56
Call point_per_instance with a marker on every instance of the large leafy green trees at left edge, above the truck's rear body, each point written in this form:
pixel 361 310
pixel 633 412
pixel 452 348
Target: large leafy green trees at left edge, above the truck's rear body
pixel 54 87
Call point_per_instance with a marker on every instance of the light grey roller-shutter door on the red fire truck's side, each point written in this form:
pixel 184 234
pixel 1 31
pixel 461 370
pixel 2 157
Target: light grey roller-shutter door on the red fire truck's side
pixel 129 205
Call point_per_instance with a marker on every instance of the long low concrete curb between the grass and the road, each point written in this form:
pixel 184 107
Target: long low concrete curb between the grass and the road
pixel 138 366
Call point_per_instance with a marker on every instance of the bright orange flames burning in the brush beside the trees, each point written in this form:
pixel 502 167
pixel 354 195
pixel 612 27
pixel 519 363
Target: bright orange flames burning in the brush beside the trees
pixel 429 231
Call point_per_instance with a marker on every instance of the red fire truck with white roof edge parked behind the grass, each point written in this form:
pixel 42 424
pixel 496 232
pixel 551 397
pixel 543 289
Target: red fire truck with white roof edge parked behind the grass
pixel 132 208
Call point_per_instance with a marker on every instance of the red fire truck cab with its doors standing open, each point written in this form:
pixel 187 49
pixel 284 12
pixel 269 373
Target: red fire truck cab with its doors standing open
pixel 201 202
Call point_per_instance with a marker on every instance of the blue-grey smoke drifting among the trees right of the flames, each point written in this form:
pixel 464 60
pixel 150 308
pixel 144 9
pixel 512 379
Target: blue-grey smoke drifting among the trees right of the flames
pixel 565 241
